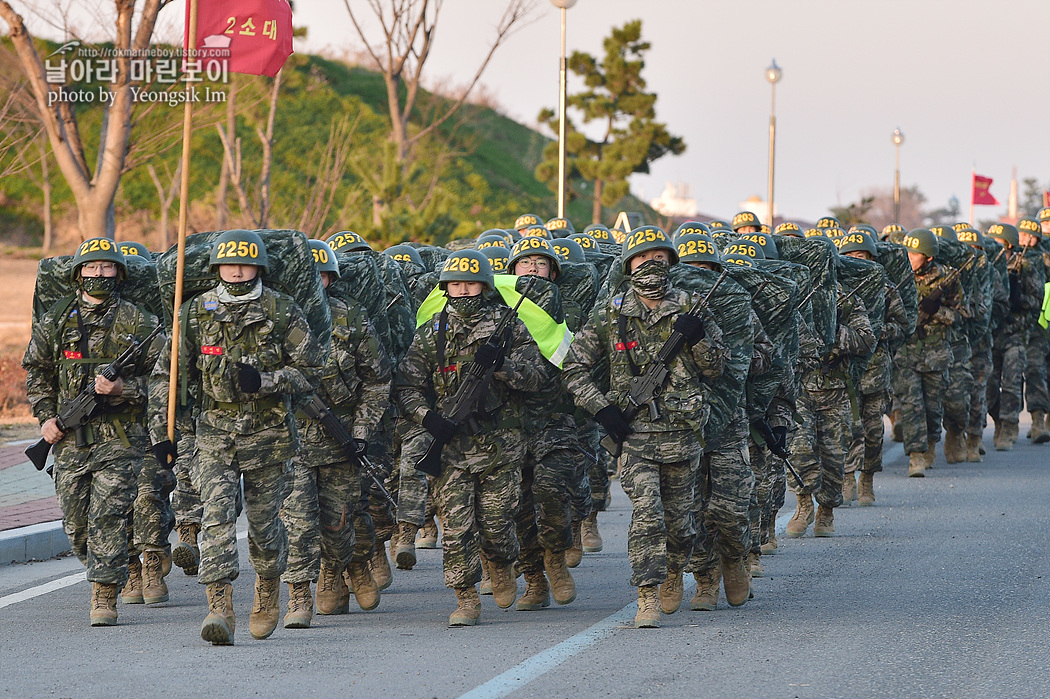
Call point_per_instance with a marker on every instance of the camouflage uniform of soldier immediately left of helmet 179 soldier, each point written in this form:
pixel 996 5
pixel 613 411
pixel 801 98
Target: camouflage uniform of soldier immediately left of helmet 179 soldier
pixel 866 450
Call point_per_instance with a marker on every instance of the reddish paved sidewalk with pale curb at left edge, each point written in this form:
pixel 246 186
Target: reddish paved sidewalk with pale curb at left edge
pixel 31 520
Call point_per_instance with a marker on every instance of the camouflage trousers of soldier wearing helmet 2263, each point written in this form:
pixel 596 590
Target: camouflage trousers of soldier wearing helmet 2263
pixel 477 517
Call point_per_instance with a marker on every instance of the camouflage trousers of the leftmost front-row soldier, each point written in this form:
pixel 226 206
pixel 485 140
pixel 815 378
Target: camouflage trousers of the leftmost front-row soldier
pixel 96 499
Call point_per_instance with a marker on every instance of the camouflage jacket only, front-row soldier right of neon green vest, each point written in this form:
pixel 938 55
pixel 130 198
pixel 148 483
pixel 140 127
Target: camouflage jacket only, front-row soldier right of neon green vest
pixel 683 405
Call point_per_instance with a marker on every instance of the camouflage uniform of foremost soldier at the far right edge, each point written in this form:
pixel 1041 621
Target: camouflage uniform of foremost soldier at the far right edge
pixel 1010 346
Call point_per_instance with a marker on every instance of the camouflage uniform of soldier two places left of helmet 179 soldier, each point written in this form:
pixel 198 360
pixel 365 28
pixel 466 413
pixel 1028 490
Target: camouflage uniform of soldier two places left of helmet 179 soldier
pixel 820 447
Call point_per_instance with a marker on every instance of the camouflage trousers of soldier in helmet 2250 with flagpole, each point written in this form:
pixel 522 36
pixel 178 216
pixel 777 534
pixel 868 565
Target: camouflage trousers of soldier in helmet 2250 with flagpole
pixel 223 462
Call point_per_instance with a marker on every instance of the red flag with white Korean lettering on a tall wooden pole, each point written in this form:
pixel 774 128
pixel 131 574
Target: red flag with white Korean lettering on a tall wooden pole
pixel 254 36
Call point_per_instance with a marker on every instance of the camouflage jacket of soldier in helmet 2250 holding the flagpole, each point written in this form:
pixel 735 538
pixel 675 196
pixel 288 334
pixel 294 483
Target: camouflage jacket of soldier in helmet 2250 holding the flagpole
pixel 269 333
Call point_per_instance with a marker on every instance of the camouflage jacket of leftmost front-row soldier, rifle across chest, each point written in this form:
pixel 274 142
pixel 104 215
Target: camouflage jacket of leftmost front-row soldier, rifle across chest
pixel 58 369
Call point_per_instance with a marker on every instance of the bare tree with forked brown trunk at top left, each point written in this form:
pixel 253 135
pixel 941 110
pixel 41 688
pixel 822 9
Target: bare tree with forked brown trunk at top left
pixel 94 188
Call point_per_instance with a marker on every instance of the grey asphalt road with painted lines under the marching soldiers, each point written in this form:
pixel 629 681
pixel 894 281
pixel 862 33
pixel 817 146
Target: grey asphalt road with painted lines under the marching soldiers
pixel 941 590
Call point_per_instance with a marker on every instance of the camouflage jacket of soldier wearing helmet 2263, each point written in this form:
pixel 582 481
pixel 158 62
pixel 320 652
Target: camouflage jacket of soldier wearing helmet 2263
pixel 423 382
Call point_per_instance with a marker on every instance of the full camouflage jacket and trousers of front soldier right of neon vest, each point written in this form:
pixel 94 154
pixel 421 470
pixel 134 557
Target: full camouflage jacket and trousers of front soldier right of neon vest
pixel 662 457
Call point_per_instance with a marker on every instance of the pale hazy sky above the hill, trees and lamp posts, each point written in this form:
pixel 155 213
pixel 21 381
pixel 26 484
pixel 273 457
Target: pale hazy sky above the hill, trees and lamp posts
pixel 960 78
